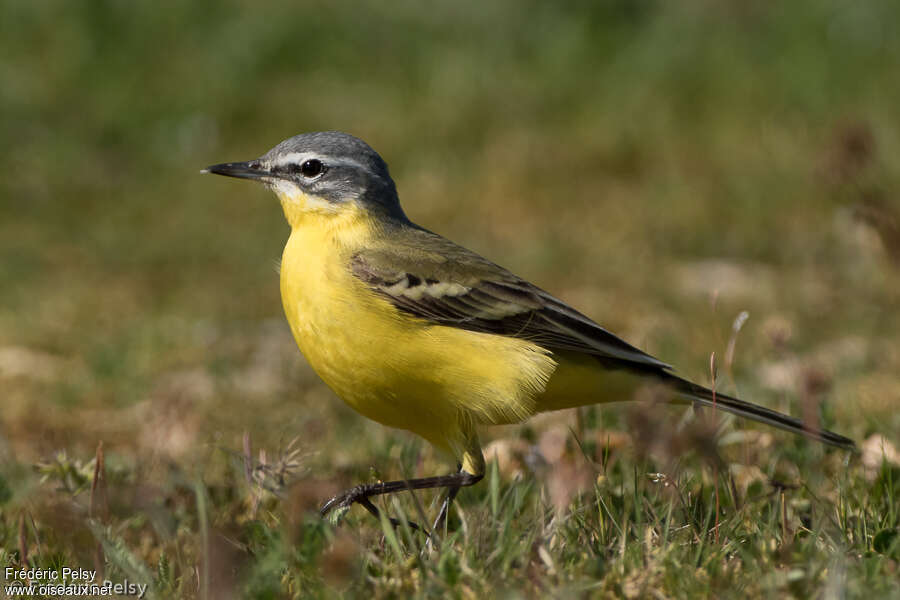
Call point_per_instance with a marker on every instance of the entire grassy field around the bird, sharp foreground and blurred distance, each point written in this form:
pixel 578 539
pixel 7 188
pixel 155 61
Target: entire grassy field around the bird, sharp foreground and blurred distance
pixel 663 168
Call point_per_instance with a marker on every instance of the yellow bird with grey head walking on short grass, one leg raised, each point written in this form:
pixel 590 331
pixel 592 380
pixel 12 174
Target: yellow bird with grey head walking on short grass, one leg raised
pixel 418 333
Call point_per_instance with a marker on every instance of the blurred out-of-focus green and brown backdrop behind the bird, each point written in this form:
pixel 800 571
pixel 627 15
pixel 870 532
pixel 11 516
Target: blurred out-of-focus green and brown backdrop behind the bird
pixel 662 166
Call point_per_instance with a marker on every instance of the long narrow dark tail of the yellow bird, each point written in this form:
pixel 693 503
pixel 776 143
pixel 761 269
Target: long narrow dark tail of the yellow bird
pixel 704 396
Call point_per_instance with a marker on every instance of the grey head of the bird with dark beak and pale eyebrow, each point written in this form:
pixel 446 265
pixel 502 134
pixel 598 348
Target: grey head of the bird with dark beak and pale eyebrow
pixel 323 171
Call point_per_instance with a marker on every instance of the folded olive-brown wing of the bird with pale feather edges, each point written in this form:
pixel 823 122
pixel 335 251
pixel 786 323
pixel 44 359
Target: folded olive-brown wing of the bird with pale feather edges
pixel 426 275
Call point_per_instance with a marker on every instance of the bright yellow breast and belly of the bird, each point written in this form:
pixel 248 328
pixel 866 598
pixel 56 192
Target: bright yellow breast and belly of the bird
pixel 395 369
